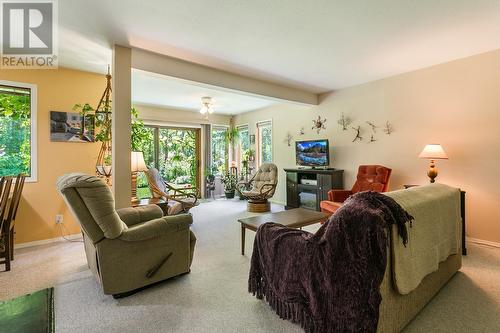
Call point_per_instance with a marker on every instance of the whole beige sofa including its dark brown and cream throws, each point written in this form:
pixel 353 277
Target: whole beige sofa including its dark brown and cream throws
pixel 372 267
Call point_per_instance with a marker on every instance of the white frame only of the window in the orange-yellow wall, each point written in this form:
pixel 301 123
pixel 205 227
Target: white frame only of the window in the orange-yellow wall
pixel 33 178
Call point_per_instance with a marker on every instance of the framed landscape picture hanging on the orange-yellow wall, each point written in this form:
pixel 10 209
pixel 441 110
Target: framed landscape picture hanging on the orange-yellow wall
pixel 71 127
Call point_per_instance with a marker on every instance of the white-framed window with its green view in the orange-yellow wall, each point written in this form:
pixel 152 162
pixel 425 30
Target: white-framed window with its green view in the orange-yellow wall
pixel 18 129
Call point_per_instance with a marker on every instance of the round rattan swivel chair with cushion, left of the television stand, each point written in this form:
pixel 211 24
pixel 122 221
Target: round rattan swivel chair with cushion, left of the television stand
pixel 262 186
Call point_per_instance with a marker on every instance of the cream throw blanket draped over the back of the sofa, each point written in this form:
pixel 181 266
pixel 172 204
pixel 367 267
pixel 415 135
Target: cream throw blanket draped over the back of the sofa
pixel 433 237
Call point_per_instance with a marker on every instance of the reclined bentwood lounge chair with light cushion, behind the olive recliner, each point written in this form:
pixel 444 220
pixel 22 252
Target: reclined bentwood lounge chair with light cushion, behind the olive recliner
pixel 183 198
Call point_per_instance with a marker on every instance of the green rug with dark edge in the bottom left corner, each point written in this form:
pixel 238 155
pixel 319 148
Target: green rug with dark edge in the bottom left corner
pixel 29 313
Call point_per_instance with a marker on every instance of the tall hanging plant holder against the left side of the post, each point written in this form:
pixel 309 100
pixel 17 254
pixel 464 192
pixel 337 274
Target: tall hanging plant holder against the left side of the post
pixel 103 120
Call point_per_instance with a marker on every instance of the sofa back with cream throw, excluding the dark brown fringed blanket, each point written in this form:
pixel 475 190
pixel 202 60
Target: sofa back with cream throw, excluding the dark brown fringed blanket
pixel 433 244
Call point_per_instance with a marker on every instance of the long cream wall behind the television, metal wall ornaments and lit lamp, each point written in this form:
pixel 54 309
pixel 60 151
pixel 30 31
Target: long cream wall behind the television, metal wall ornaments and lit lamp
pixel 456 104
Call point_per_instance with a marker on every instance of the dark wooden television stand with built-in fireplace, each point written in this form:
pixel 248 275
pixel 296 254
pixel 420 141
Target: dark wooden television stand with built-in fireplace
pixel 306 188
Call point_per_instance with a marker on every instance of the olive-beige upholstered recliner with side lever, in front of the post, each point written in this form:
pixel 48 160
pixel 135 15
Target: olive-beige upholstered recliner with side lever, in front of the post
pixel 128 248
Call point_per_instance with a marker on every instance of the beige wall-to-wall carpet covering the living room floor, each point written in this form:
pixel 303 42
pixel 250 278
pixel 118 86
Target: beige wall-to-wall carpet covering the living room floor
pixel 213 297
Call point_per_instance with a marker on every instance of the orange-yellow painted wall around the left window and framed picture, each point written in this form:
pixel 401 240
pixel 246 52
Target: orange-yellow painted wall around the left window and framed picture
pixel 58 90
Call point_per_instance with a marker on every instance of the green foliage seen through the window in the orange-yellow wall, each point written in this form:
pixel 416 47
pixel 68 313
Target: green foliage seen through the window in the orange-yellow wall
pixel 15 132
